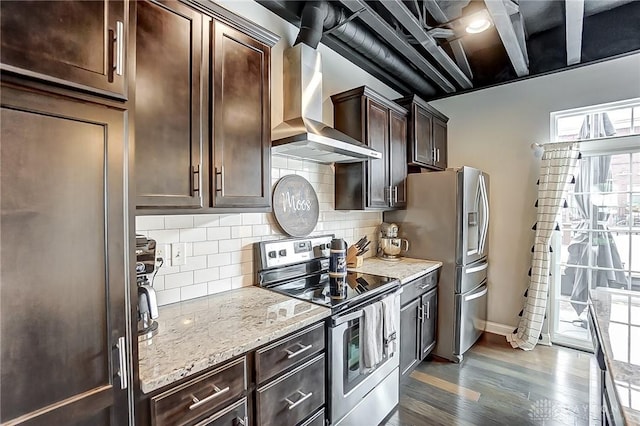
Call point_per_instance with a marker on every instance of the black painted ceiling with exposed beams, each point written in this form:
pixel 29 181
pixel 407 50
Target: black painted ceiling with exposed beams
pixel 527 38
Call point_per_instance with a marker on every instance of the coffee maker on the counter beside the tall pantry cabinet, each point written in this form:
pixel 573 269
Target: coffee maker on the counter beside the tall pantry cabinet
pixel 145 272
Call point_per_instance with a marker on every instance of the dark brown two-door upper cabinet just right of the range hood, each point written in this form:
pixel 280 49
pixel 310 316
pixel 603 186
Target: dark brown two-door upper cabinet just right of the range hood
pixel 381 124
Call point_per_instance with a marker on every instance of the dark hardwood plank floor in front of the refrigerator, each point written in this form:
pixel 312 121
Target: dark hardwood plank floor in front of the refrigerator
pixel 498 385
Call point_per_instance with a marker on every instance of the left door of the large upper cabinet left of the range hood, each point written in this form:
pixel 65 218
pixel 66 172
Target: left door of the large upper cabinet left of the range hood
pixel 168 105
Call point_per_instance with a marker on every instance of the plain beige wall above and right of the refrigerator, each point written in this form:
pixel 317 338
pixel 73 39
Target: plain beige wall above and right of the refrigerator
pixel 492 129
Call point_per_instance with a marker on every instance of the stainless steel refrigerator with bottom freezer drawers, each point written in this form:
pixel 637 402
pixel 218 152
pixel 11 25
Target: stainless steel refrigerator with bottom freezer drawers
pixel 447 219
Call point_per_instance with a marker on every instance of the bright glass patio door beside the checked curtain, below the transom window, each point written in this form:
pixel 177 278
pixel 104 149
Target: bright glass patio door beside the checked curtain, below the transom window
pixel 599 242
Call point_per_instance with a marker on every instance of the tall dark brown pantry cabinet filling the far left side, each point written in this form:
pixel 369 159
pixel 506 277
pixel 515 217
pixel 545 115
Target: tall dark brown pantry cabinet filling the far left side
pixel 65 311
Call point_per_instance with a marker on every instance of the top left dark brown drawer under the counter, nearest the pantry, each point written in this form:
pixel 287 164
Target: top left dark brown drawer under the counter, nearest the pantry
pixel 200 396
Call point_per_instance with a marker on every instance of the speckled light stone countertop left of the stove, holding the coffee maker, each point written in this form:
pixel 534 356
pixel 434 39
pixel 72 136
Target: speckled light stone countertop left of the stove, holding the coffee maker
pixel 200 333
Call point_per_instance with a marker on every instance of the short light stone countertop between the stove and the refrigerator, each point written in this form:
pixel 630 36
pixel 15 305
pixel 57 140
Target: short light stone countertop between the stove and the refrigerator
pixel 406 269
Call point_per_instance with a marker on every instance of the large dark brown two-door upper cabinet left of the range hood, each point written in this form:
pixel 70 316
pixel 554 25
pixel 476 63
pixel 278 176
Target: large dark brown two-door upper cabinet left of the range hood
pixel 203 129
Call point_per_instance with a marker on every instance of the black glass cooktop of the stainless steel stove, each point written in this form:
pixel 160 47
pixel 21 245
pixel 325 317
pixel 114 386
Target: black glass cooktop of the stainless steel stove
pixel 335 293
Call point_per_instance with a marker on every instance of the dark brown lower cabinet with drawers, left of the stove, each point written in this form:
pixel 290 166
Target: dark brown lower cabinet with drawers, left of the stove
pixel 280 384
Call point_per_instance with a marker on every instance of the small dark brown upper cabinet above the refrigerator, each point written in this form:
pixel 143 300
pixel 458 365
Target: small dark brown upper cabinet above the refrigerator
pixel 427 145
